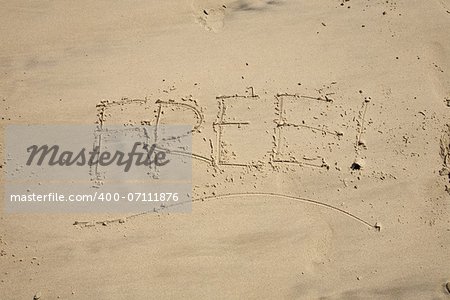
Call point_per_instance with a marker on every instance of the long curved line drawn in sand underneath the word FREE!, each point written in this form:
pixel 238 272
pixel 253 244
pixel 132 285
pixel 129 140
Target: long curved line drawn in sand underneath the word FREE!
pixel 233 195
